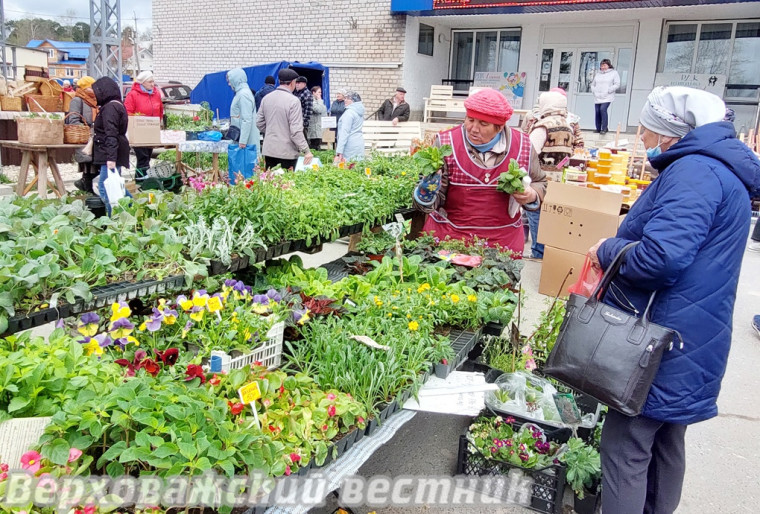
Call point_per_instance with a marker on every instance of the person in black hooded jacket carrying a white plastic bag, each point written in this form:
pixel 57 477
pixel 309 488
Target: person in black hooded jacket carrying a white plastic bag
pixel 110 148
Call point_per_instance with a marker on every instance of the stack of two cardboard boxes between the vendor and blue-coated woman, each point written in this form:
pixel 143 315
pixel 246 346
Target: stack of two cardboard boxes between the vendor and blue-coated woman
pixel 573 219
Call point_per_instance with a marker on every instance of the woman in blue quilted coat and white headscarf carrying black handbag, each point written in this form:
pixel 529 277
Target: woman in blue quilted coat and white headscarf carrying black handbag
pixel 692 223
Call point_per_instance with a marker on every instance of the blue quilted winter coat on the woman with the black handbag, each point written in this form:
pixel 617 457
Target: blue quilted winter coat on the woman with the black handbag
pixel 693 222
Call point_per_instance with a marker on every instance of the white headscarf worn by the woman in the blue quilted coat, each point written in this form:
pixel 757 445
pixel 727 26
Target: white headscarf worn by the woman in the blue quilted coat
pixel 674 111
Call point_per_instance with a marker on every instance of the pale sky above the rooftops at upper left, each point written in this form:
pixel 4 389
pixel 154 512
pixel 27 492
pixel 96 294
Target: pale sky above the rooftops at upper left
pixel 55 9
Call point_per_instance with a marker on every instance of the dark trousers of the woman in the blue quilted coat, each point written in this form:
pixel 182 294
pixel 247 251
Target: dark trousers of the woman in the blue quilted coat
pixel 643 464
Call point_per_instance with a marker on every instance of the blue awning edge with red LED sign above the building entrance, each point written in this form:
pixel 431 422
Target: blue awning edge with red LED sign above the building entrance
pixel 464 7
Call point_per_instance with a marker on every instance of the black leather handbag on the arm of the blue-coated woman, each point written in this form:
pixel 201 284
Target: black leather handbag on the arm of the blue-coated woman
pixel 608 353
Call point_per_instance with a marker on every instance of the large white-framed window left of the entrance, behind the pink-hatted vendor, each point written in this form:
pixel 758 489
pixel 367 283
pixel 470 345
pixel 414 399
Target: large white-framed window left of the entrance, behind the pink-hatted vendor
pixel 472 51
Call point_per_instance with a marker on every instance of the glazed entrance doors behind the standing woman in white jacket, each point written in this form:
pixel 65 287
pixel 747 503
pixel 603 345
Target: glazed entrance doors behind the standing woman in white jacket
pixel 573 69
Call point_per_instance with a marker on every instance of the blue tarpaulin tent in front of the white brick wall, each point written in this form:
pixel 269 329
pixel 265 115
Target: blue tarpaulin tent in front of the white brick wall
pixel 213 87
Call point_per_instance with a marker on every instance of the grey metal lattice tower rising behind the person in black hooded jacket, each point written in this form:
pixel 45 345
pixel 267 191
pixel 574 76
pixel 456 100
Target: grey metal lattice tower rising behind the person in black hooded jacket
pixel 105 37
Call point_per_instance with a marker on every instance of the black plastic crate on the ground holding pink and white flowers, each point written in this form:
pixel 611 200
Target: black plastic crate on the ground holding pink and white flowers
pixel 548 483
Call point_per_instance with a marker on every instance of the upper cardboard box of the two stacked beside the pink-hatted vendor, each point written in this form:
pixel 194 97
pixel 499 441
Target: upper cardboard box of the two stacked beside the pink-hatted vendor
pixel 576 218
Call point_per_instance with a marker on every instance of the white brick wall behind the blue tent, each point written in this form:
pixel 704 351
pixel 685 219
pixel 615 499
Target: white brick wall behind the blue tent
pixel 216 35
